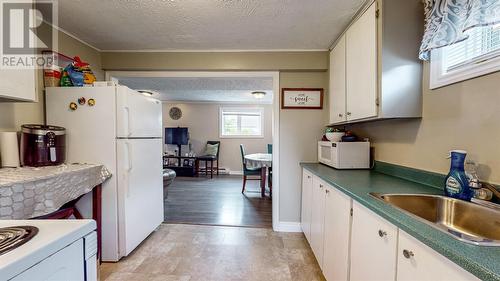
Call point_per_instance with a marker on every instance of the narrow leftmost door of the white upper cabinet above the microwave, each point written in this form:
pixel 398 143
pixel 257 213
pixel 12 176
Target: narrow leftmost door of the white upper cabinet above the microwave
pixel 337 82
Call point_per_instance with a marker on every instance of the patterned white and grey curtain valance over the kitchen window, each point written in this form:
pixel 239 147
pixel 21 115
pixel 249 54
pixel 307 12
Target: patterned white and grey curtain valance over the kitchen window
pixel 446 21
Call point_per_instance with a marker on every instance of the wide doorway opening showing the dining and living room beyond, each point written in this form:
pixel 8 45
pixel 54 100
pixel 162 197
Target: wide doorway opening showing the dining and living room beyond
pixel 214 122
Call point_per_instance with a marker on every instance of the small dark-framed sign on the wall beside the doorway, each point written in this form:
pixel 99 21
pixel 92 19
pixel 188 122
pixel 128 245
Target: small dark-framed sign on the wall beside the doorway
pixel 302 98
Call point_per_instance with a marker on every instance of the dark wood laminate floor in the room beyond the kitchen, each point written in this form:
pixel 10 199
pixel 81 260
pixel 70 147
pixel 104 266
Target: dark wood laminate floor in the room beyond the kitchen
pixel 217 201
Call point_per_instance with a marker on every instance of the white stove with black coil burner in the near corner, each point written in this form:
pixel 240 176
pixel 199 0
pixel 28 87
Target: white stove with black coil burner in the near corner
pixel 48 250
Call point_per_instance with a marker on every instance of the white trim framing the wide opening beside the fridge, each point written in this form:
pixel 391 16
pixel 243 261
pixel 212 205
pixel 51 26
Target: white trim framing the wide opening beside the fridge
pixel 110 75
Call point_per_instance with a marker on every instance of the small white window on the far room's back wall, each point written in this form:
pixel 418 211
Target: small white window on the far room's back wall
pixel 241 122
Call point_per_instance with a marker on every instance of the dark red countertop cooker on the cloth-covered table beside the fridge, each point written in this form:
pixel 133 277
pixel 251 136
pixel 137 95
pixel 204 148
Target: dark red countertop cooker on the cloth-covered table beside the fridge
pixel 42 145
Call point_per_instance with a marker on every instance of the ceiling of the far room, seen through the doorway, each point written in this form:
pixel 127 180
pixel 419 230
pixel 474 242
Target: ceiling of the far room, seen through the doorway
pixel 226 90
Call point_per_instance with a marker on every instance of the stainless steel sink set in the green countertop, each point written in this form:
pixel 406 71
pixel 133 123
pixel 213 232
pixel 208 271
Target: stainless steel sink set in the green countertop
pixel 469 222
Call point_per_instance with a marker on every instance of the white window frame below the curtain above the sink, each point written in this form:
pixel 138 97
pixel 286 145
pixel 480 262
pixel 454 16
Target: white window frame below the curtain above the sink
pixel 470 70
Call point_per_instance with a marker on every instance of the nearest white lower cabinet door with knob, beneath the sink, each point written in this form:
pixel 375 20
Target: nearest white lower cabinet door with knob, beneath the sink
pixel 418 262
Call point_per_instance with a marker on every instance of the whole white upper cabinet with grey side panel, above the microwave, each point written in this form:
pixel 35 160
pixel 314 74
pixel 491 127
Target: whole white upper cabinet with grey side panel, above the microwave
pixel 375 72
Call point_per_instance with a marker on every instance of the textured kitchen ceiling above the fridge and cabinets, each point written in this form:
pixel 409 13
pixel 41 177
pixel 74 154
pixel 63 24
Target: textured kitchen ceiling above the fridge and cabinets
pixel 206 24
